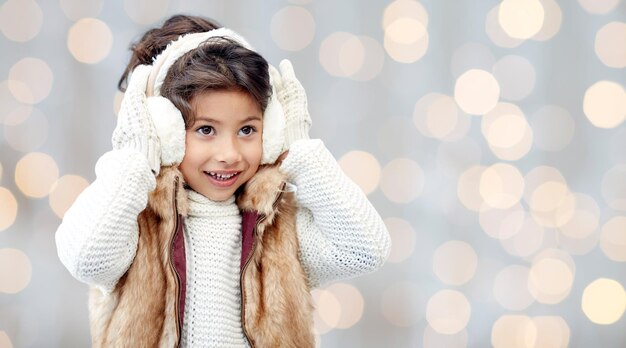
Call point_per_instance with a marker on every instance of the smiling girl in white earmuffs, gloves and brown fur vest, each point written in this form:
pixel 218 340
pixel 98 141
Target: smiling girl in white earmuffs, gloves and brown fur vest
pixel 214 214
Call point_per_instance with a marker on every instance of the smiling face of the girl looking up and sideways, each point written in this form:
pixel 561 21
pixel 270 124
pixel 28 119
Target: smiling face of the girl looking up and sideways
pixel 224 145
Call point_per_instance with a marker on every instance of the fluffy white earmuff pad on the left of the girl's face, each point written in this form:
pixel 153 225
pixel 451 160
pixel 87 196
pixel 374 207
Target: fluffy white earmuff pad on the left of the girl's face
pixel 170 129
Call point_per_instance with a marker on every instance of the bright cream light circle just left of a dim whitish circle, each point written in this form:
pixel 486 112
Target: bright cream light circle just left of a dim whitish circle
pixel 476 92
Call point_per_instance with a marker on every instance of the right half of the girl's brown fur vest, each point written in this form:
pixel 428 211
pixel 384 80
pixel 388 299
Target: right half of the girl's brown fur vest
pixel 277 302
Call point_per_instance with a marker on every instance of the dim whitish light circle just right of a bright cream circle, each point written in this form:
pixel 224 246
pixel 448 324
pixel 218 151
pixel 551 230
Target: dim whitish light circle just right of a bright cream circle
pixel 515 76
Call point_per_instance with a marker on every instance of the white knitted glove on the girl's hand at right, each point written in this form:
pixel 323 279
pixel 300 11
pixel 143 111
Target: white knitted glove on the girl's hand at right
pixel 293 100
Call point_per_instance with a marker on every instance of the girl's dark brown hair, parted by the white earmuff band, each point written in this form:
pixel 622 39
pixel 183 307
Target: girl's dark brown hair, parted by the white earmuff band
pixel 217 64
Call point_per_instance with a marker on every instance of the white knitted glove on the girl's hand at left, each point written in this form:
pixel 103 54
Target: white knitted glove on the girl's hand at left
pixel 135 129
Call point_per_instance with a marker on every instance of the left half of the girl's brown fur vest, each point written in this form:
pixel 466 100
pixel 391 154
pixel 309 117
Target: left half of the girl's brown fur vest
pixel 141 310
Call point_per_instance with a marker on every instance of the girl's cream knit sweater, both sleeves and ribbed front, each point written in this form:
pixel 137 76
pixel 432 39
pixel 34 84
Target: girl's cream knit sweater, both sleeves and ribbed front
pixel 339 231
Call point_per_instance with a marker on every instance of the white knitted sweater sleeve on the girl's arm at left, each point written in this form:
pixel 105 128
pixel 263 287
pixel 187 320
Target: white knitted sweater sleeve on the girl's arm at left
pixel 97 239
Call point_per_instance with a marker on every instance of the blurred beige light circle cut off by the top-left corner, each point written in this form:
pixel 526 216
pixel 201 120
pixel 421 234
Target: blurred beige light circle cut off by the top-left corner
pixel 20 20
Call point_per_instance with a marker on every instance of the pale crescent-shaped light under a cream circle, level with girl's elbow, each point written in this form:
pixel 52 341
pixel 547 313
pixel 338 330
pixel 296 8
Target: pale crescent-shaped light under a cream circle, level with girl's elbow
pixel 502 223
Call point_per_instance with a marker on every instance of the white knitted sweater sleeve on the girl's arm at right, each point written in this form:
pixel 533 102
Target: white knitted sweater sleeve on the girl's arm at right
pixel 340 233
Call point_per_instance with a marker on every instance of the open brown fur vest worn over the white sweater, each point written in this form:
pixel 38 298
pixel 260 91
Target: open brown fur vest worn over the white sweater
pixel 147 305
